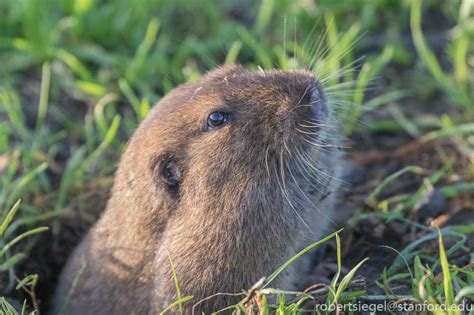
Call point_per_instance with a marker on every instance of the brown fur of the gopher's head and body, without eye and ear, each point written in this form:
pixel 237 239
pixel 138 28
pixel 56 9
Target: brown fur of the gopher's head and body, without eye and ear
pixel 235 217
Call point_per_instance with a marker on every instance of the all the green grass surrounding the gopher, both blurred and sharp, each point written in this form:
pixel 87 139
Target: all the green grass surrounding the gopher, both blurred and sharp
pixel 80 76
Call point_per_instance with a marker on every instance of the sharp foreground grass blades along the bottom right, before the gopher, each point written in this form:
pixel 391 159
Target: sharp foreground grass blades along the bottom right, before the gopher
pixel 437 287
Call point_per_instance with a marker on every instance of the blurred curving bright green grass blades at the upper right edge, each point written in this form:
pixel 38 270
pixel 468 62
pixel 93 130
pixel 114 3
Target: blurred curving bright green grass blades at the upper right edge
pixel 457 83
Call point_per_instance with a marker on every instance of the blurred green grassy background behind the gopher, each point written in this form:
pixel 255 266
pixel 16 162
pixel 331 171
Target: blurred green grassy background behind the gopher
pixel 77 76
